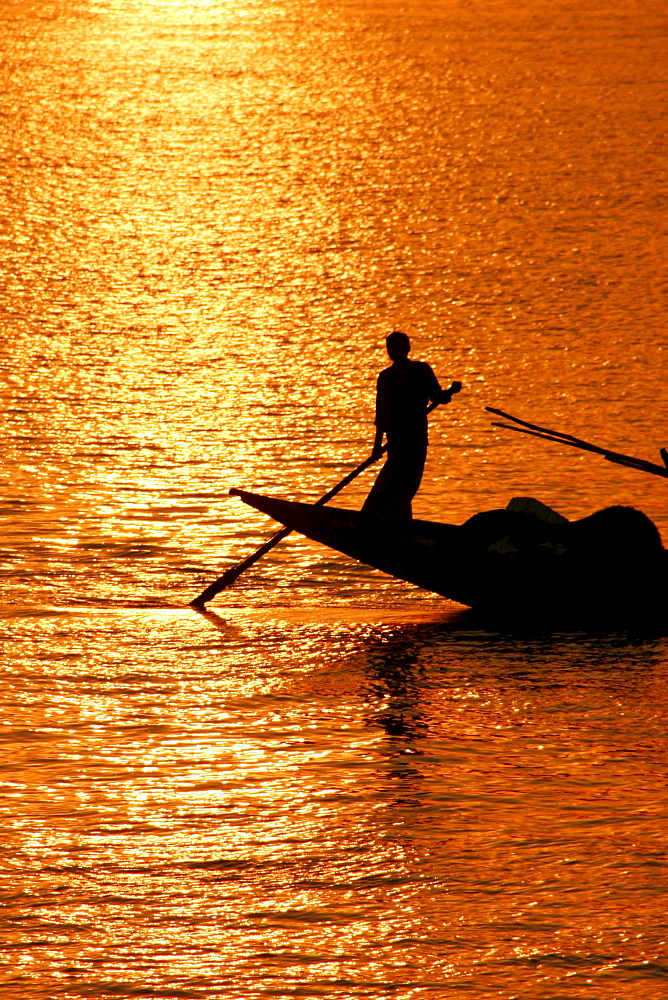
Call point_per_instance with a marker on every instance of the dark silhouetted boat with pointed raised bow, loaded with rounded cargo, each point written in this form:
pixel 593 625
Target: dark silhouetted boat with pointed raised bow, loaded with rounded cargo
pixel 524 559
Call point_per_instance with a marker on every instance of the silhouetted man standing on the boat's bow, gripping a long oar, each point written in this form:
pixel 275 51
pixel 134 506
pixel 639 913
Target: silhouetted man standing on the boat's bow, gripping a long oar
pixel 403 393
